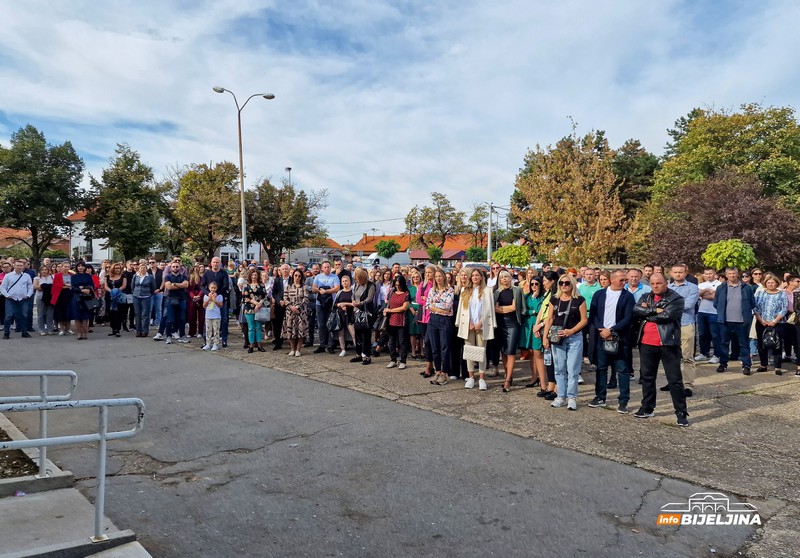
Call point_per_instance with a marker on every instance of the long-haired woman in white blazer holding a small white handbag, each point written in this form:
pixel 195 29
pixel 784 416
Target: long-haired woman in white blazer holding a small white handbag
pixel 475 322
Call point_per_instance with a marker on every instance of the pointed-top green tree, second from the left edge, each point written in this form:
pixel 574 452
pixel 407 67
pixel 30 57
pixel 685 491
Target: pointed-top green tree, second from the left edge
pixel 126 205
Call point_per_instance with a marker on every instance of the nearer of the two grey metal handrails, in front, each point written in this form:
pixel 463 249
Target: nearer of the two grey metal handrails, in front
pixel 102 437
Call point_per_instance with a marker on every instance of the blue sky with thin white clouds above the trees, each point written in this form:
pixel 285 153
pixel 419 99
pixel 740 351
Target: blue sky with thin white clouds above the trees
pixel 382 102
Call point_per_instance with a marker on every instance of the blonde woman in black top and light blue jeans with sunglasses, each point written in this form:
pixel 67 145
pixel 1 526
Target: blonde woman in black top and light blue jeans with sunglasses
pixel 566 318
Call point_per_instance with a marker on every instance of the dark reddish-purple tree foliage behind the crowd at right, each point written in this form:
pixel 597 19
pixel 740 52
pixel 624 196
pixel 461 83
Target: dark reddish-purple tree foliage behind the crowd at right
pixel 727 206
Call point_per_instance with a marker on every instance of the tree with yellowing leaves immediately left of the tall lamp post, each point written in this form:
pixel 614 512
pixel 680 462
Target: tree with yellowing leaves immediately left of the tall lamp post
pixel 207 209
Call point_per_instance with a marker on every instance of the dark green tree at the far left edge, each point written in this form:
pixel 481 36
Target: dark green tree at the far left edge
pixel 39 187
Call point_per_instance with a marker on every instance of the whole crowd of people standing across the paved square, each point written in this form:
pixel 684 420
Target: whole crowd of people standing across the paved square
pixel 462 323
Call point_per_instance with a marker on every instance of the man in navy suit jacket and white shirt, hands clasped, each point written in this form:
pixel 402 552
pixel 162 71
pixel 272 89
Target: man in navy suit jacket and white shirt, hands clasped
pixel 611 315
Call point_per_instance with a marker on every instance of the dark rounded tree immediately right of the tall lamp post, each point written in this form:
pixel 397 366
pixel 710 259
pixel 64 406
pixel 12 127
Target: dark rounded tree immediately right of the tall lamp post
pixel 281 217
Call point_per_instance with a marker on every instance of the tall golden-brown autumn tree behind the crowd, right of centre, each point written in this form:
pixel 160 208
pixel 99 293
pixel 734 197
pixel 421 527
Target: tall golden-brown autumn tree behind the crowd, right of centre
pixel 573 214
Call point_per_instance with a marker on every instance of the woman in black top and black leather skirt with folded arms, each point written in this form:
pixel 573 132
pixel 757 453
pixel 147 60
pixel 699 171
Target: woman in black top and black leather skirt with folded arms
pixel 508 307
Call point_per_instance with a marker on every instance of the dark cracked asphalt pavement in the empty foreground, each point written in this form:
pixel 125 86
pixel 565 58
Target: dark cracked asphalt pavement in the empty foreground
pixel 241 460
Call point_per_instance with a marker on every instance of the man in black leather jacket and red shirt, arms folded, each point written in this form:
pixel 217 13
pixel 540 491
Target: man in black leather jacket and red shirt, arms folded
pixel 660 342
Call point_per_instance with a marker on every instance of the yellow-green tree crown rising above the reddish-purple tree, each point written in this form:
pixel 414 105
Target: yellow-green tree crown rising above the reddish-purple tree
pixel 764 142
